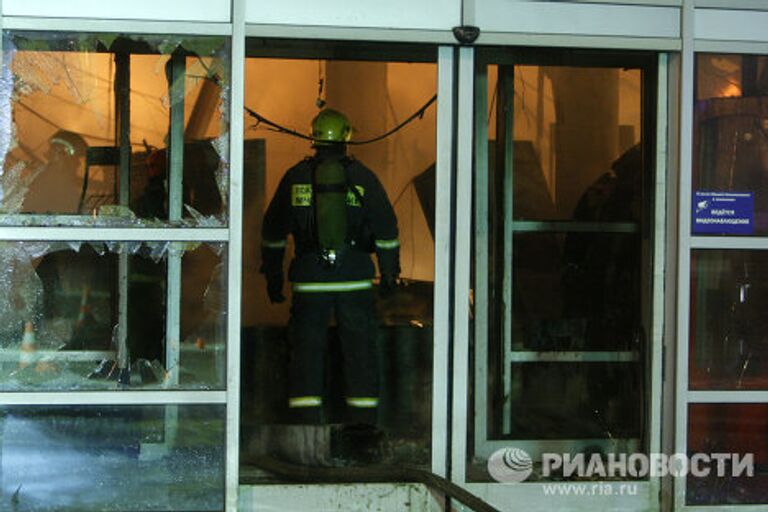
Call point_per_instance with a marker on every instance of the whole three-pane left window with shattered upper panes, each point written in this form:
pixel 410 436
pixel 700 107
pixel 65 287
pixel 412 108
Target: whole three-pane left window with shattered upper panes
pixel 114 131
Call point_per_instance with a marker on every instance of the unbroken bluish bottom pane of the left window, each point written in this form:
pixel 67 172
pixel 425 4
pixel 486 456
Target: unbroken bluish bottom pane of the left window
pixel 97 458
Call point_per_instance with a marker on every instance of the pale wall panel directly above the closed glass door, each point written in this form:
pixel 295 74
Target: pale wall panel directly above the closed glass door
pixel 577 18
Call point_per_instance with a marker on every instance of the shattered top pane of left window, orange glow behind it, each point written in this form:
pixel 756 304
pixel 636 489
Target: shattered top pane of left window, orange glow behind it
pixel 114 130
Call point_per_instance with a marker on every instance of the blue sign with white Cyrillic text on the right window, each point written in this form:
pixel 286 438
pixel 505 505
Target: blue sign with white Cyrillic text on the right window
pixel 723 213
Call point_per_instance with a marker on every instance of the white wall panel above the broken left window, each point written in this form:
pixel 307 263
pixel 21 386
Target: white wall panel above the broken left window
pixel 171 10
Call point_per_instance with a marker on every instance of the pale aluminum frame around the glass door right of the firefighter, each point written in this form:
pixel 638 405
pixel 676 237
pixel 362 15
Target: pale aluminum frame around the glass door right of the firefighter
pixel 505 496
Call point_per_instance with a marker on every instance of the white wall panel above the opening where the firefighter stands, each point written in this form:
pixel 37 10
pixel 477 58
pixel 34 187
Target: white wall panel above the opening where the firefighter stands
pixel 402 14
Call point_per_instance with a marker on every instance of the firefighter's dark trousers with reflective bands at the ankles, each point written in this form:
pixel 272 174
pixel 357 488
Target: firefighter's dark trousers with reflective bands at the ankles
pixel 355 317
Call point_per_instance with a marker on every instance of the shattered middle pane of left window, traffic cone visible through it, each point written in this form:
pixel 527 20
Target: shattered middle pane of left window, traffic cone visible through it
pixel 60 328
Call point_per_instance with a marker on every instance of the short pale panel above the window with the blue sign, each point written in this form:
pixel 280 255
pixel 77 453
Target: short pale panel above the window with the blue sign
pixel 731 25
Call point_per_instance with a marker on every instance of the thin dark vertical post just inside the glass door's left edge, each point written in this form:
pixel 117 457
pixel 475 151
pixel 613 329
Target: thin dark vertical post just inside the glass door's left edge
pixel 505 135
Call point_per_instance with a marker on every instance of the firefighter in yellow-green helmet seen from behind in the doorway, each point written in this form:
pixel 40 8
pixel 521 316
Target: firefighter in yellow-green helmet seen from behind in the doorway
pixel 338 213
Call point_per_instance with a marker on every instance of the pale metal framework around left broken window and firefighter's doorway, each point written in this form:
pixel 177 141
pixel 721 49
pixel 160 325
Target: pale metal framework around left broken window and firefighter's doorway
pixel 232 235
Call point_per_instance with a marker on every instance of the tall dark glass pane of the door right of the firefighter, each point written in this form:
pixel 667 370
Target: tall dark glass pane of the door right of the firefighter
pixel 562 288
